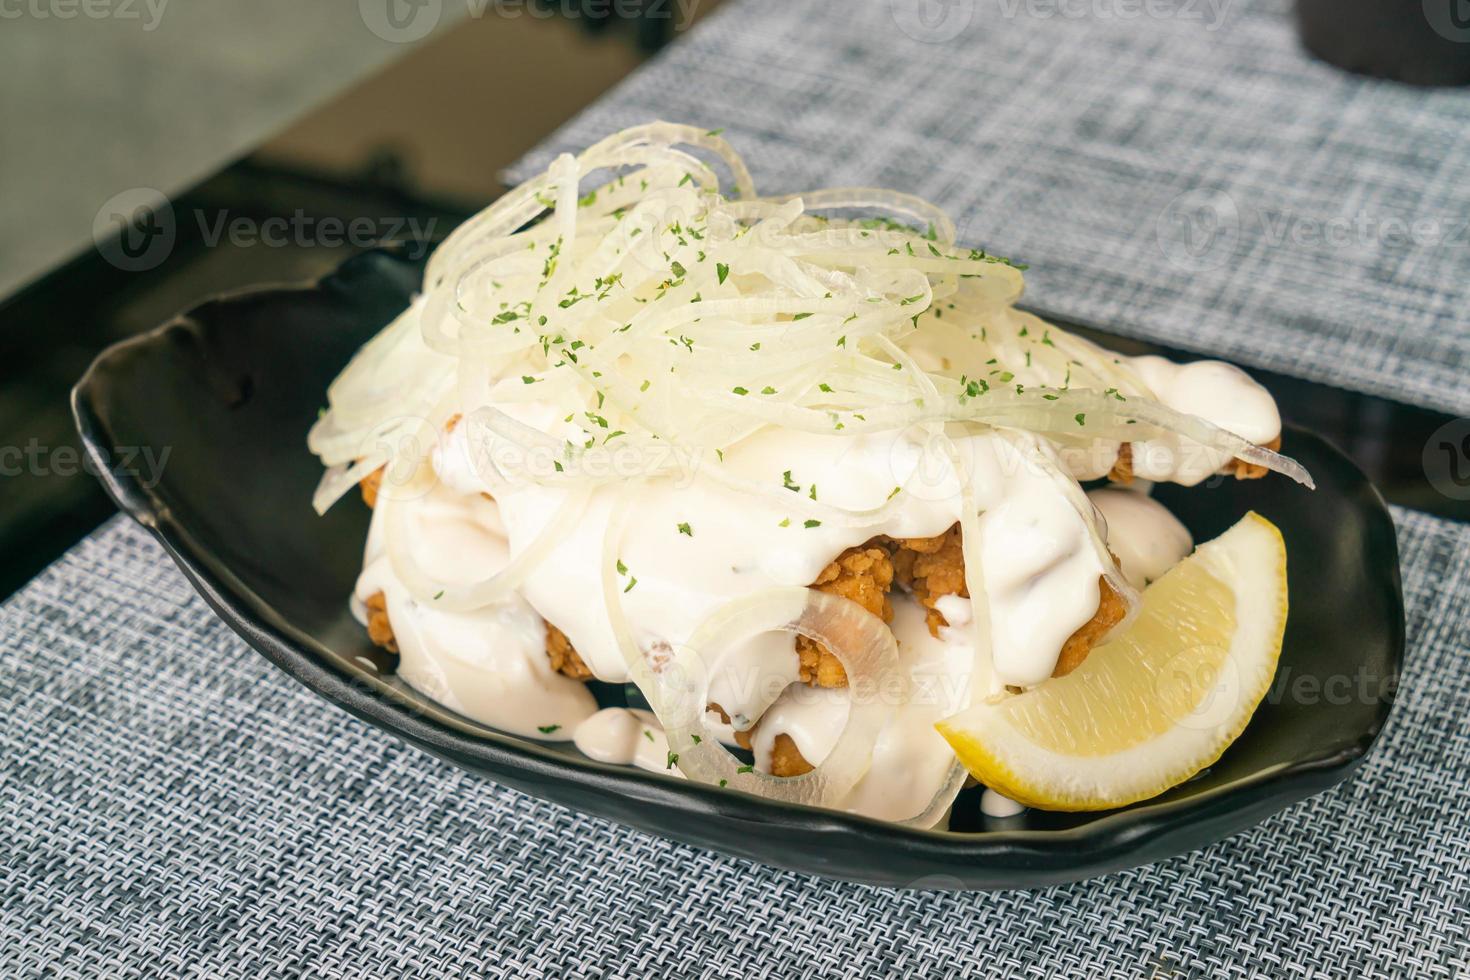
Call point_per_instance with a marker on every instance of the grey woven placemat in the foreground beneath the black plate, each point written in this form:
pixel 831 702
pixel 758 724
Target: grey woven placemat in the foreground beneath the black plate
pixel 176 806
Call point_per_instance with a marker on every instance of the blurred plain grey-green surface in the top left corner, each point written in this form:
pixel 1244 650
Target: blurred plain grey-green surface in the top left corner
pixel 154 96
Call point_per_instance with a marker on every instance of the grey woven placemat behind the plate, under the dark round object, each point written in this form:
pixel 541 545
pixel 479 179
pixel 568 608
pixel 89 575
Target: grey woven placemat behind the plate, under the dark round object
pixel 1188 177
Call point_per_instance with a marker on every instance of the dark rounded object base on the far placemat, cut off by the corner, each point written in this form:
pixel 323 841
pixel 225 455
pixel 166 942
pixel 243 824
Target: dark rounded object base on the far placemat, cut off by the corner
pixel 1418 42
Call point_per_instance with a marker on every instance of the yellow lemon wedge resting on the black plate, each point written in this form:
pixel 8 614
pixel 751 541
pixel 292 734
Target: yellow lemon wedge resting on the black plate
pixel 1155 706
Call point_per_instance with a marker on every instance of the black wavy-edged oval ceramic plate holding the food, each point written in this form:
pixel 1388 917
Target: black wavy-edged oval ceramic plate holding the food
pixel 233 387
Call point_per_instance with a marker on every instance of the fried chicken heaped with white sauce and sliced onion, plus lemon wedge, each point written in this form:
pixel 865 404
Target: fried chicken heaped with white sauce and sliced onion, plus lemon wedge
pixel 808 480
